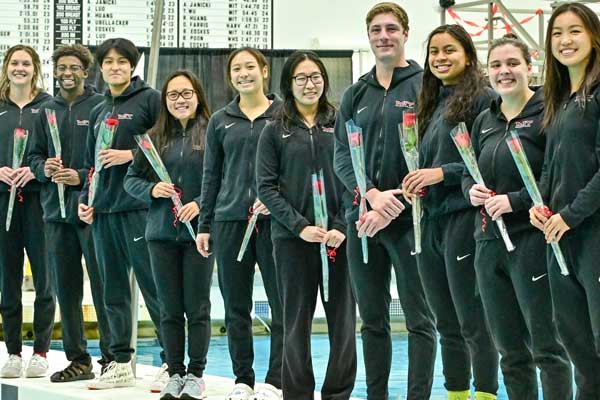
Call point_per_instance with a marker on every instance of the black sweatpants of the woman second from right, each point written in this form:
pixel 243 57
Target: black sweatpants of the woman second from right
pixel 515 292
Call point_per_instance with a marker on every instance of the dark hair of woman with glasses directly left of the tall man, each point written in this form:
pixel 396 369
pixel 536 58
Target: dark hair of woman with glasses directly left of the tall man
pixel 288 110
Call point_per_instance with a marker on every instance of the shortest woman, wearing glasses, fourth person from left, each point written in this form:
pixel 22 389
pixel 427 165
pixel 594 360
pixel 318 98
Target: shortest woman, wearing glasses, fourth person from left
pixel 183 276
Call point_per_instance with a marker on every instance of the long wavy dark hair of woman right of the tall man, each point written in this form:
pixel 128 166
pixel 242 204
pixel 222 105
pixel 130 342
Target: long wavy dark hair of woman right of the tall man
pixel 471 83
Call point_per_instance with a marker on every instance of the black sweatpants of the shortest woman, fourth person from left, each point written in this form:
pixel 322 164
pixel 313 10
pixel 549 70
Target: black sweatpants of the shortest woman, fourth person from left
pixel 184 293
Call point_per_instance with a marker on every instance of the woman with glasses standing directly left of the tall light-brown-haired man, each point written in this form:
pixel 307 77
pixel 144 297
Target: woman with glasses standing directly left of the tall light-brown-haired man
pixel 293 152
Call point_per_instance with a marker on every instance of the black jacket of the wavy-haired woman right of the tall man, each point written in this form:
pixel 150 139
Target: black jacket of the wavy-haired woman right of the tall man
pixel 437 150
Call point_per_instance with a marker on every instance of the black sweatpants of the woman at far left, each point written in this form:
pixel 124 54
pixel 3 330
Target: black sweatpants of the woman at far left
pixel 26 232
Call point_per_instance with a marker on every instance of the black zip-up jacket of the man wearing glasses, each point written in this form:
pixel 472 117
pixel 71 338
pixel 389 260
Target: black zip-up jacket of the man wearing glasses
pixel 73 123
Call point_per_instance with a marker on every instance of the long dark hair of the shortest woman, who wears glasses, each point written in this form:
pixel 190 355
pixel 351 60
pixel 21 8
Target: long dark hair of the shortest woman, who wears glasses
pixel 162 131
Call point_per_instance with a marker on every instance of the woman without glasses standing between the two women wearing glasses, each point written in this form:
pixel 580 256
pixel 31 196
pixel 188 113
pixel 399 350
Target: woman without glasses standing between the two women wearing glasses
pixel 228 197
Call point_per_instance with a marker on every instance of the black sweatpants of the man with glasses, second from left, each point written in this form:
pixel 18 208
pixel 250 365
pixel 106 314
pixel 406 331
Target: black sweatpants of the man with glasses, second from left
pixel 66 243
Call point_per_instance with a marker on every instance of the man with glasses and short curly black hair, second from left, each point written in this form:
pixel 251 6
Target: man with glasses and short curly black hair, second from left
pixel 68 238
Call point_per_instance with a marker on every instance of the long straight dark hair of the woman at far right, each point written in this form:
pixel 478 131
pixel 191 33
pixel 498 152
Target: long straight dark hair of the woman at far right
pixel 556 86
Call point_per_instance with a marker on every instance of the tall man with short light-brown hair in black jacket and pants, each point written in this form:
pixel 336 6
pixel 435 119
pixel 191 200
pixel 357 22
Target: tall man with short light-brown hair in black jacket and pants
pixel 376 103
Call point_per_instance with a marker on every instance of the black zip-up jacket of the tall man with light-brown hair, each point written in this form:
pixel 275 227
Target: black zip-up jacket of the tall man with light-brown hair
pixel 378 112
